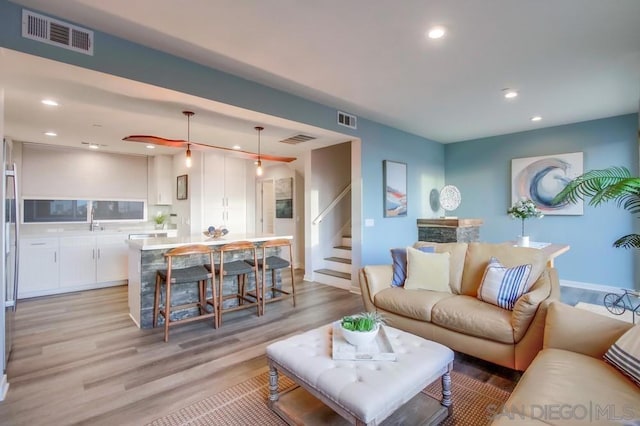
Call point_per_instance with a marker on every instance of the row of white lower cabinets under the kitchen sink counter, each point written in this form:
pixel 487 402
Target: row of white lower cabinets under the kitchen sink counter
pixel 56 265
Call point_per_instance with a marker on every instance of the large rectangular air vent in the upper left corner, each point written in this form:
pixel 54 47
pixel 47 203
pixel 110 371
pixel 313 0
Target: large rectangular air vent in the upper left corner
pixel 51 31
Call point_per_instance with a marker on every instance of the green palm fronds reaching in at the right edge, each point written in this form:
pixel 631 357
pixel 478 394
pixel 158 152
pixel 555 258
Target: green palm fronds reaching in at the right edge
pixel 610 184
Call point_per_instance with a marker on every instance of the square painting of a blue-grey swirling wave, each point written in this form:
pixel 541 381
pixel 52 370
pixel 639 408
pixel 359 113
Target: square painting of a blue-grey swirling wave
pixel 540 179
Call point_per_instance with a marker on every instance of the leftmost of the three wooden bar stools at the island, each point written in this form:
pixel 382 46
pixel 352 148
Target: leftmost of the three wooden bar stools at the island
pixel 192 274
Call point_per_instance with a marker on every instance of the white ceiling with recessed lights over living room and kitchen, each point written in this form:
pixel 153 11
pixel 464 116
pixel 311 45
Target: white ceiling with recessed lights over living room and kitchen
pixel 570 60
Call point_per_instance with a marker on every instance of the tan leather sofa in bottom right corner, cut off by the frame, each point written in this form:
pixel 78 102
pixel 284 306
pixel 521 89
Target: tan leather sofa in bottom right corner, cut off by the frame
pixel 569 382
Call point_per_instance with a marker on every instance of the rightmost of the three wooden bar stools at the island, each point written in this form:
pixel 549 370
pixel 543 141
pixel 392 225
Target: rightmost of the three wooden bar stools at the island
pixel 273 263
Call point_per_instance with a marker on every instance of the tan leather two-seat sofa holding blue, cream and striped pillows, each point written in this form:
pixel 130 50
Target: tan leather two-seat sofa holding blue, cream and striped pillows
pixel 459 319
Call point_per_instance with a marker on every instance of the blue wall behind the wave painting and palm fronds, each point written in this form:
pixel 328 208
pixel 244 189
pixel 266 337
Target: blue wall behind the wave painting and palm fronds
pixel 481 169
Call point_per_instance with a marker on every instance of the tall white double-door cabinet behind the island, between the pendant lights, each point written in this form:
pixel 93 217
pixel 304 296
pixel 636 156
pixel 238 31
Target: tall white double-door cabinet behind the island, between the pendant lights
pixel 225 192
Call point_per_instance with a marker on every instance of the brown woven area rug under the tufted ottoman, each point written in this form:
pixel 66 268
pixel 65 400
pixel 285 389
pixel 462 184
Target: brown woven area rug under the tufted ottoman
pixel 245 404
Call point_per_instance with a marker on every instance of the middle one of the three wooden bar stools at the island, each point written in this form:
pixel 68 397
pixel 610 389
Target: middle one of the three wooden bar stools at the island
pixel 239 269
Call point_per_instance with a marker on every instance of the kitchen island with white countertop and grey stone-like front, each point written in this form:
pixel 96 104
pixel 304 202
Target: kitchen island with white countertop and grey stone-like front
pixel 146 256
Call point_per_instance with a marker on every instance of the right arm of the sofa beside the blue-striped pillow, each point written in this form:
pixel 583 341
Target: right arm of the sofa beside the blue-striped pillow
pixel 527 305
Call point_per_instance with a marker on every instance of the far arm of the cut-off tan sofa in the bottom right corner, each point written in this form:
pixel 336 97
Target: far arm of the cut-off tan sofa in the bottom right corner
pixel 581 331
